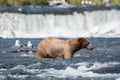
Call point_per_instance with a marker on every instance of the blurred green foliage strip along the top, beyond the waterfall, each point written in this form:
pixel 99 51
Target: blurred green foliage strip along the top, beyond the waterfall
pixel 46 2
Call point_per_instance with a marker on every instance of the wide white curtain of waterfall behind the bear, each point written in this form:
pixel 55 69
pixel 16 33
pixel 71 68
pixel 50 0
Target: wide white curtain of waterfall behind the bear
pixel 87 24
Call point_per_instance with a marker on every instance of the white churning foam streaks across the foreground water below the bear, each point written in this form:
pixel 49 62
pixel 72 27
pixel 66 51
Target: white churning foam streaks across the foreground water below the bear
pixel 83 70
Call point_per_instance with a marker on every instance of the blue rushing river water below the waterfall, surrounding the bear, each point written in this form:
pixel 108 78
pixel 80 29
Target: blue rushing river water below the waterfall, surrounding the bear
pixel 102 63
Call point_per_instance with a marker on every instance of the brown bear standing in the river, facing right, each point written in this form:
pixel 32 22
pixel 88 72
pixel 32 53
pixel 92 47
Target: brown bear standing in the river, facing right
pixel 56 48
